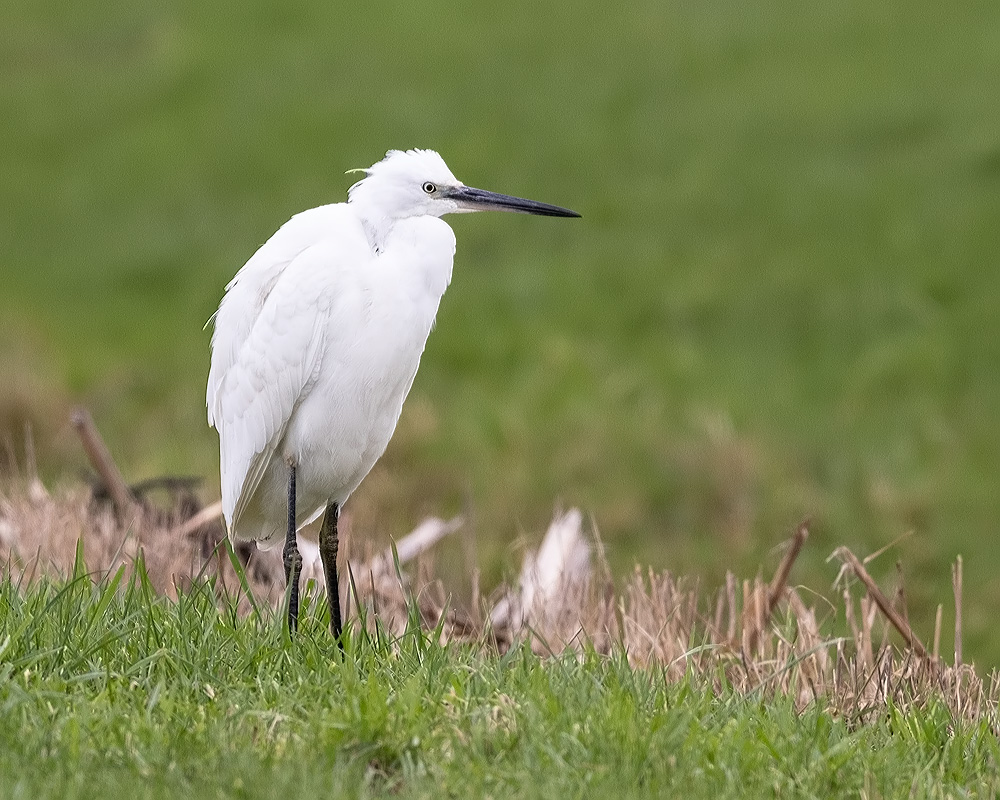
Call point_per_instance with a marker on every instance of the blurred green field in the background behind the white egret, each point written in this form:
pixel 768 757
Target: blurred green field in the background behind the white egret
pixel 781 301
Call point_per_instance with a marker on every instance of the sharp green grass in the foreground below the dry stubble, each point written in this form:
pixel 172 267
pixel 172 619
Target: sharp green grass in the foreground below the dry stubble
pixel 109 691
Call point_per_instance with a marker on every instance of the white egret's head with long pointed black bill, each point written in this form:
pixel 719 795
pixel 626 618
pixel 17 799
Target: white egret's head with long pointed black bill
pixel 414 183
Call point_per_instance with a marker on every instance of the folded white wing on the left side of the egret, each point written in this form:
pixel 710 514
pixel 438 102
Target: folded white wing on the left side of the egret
pixel 269 341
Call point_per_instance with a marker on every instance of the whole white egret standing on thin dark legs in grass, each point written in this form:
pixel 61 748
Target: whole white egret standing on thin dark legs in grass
pixel 316 344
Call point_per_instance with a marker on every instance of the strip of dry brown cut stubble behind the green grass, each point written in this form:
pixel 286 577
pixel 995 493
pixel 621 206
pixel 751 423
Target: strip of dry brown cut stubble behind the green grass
pixel 755 636
